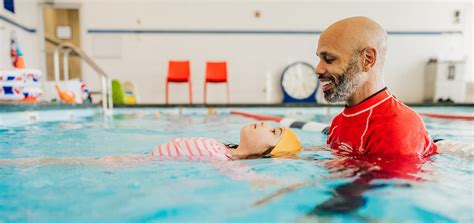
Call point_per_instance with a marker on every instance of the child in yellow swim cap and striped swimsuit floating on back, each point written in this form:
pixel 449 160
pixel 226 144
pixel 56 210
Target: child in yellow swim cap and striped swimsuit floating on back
pixel 257 140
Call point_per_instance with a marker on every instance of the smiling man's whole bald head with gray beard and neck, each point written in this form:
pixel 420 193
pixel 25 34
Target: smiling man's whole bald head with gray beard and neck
pixel 352 54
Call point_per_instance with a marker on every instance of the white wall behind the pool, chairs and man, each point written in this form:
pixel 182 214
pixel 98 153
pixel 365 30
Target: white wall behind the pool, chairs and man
pixel 251 58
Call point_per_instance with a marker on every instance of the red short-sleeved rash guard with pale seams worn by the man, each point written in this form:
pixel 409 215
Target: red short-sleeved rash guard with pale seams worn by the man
pixel 380 125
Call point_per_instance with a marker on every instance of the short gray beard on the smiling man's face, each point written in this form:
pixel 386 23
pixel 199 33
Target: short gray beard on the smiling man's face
pixel 346 84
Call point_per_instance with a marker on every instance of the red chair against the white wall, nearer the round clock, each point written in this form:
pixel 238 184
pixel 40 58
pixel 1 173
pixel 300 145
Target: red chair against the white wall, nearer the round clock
pixel 216 72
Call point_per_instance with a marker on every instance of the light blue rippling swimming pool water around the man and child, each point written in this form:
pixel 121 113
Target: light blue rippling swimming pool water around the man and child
pixel 171 191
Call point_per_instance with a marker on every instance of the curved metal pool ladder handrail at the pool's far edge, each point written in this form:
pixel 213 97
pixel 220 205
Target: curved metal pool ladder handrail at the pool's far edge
pixel 67 49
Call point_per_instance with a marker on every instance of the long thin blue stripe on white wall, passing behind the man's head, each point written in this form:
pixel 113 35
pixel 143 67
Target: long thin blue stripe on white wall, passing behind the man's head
pixel 245 32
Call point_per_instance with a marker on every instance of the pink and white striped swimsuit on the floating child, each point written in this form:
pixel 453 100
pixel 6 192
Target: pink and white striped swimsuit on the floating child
pixel 195 148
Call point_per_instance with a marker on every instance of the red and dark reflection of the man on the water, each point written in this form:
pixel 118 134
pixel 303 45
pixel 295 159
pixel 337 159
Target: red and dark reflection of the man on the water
pixel 348 198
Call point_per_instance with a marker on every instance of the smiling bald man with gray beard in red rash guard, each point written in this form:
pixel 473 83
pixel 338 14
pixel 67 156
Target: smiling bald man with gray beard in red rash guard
pixel 374 123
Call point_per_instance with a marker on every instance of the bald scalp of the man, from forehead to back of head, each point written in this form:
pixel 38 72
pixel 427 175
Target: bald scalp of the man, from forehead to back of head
pixel 354 34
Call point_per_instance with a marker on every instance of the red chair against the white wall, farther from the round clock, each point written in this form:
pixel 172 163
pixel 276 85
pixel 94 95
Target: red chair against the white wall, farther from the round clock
pixel 179 72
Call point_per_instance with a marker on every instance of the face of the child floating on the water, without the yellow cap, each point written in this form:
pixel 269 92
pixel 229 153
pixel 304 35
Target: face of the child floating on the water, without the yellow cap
pixel 260 137
